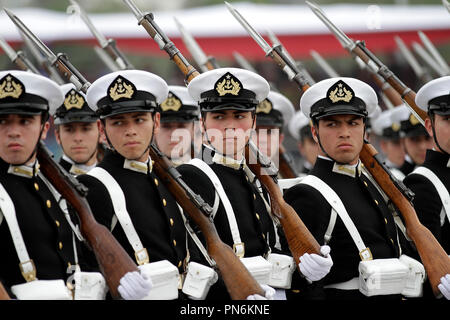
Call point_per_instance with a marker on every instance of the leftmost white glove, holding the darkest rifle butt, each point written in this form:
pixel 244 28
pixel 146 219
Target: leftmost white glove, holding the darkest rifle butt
pixel 134 286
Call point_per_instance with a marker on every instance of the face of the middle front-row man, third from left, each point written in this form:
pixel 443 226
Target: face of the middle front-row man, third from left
pixel 229 130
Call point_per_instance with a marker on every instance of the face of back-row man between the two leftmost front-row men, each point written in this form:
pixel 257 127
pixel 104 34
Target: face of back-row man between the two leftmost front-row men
pixel 79 141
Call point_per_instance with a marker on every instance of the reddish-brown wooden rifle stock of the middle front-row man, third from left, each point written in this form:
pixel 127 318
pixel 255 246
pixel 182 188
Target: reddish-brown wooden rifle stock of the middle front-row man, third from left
pixel 299 238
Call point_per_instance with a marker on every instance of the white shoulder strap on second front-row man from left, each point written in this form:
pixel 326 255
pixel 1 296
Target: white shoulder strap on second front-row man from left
pixel 120 210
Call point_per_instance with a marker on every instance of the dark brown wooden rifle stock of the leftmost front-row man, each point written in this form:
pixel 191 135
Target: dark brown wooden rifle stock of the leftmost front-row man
pixel 113 260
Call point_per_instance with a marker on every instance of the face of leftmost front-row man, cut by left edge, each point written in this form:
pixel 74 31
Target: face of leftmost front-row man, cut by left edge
pixel 19 135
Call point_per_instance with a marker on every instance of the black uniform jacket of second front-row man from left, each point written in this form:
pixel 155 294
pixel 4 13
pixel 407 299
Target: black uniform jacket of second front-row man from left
pixel 152 209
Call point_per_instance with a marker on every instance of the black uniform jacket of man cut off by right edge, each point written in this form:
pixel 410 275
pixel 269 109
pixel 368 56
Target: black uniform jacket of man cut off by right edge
pixel 427 203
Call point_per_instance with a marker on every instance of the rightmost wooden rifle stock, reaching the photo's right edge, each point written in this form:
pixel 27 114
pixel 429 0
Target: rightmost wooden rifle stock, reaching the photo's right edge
pixel 434 258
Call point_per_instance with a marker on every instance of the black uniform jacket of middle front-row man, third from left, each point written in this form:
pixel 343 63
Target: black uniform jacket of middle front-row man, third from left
pixel 256 227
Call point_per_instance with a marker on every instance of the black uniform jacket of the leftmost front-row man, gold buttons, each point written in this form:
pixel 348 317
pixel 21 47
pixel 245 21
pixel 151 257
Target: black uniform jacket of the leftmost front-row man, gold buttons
pixel 45 230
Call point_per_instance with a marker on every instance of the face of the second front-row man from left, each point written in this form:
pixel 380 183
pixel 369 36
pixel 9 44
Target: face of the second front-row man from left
pixel 131 133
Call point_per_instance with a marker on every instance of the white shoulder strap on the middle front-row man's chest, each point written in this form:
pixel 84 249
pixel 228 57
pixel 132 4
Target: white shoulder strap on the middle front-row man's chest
pixel 238 244
